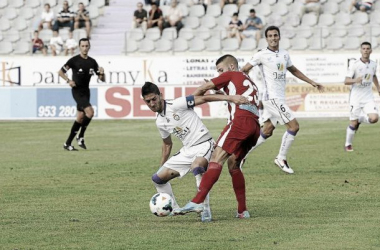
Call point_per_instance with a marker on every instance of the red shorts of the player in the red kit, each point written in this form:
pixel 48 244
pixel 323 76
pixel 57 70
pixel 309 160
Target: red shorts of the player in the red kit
pixel 239 136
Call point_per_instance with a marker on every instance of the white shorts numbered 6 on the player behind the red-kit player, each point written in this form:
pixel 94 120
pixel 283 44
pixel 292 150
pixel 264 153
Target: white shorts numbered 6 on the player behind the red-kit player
pixel 276 111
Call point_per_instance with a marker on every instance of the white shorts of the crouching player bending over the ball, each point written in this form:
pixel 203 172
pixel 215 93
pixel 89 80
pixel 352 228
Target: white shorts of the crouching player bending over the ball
pixel 182 160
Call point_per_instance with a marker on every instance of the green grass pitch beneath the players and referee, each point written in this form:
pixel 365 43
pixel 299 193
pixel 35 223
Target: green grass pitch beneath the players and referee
pixel 99 198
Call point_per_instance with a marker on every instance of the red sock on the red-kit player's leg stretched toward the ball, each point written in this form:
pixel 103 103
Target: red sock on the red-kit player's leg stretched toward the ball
pixel 208 180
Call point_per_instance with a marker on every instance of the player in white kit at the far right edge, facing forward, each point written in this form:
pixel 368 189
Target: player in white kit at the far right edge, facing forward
pixel 360 75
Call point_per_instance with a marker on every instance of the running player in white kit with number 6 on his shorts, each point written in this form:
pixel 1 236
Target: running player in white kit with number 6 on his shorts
pixel 274 63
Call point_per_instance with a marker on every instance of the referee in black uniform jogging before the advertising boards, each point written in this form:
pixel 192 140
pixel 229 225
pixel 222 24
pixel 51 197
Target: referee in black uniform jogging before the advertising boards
pixel 83 67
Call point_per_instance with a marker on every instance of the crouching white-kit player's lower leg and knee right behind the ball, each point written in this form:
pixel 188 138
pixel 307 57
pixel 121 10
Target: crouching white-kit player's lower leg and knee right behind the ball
pixel 161 182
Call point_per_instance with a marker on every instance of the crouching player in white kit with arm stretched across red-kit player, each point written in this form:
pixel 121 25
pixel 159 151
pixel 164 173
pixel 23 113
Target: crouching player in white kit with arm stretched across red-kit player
pixel 177 117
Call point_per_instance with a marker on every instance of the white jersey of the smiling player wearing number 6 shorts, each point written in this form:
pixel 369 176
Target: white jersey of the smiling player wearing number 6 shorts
pixel 273 66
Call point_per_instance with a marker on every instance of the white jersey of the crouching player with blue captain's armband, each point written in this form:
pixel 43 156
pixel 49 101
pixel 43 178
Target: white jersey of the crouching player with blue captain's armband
pixel 179 118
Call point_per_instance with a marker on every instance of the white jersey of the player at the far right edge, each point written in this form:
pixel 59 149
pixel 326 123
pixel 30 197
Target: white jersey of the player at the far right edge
pixel 362 92
